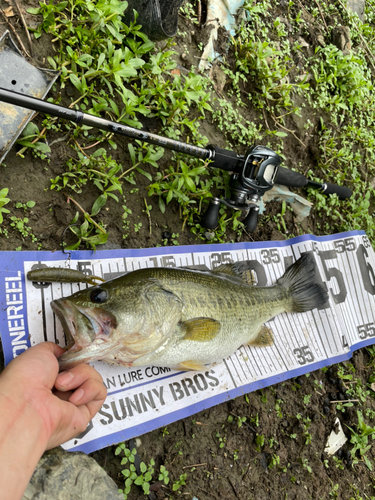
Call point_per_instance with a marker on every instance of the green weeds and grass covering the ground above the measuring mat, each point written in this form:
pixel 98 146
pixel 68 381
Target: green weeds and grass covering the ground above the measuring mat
pixel 271 83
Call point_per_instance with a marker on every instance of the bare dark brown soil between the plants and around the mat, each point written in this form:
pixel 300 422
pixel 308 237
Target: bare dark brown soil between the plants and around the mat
pixel 241 469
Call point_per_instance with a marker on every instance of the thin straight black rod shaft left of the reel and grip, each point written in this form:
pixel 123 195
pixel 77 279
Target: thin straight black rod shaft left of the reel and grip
pixel 47 108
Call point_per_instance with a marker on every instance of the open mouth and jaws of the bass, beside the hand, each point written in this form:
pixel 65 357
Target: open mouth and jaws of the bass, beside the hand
pixel 87 331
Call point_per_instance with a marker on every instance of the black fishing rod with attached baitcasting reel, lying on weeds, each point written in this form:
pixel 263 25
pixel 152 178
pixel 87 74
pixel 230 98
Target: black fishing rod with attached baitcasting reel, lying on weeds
pixel 252 174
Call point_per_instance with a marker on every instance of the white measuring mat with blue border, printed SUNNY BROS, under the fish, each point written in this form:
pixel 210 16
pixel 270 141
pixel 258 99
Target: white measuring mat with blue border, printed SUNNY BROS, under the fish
pixel 142 399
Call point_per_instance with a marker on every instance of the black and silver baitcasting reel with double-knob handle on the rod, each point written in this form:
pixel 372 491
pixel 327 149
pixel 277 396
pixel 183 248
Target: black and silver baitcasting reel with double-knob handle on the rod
pixel 256 175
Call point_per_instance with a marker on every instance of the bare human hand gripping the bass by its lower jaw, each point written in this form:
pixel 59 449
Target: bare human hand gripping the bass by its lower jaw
pixel 65 402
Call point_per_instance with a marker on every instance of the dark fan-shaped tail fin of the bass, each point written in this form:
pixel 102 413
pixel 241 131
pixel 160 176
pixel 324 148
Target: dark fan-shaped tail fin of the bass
pixel 299 281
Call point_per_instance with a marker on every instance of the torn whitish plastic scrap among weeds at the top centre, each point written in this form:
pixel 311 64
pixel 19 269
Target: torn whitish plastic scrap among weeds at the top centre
pixel 219 13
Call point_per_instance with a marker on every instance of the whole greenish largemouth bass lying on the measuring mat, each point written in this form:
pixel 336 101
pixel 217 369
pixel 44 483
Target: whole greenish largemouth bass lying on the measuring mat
pixel 181 318
